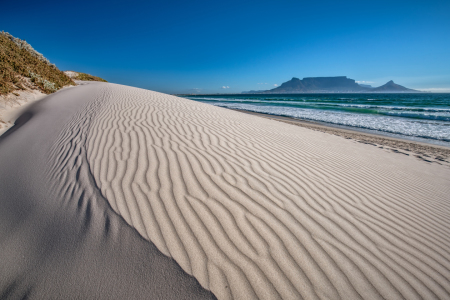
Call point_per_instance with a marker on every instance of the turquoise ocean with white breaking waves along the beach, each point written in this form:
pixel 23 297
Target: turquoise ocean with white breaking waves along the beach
pixel 422 117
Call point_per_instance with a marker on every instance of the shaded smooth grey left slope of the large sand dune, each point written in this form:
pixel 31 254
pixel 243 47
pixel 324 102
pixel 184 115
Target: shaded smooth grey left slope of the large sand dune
pixel 59 238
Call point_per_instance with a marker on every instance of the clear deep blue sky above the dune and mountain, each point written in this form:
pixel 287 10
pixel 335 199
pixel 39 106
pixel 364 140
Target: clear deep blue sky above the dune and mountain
pixel 233 46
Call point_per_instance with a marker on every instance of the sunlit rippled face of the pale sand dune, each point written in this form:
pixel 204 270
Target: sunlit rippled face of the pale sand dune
pixel 259 209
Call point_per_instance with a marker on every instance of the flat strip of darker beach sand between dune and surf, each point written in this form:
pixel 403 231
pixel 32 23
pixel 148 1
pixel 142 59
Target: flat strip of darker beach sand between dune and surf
pixel 423 151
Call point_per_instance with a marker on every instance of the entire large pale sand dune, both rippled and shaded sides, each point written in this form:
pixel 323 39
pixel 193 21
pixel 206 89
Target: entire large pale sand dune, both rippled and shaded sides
pixel 110 191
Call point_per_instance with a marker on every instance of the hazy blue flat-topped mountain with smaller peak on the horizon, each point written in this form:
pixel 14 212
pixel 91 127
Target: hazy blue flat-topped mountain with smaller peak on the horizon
pixel 338 84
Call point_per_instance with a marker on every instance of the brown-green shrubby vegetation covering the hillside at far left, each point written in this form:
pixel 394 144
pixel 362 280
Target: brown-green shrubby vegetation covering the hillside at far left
pixel 22 68
